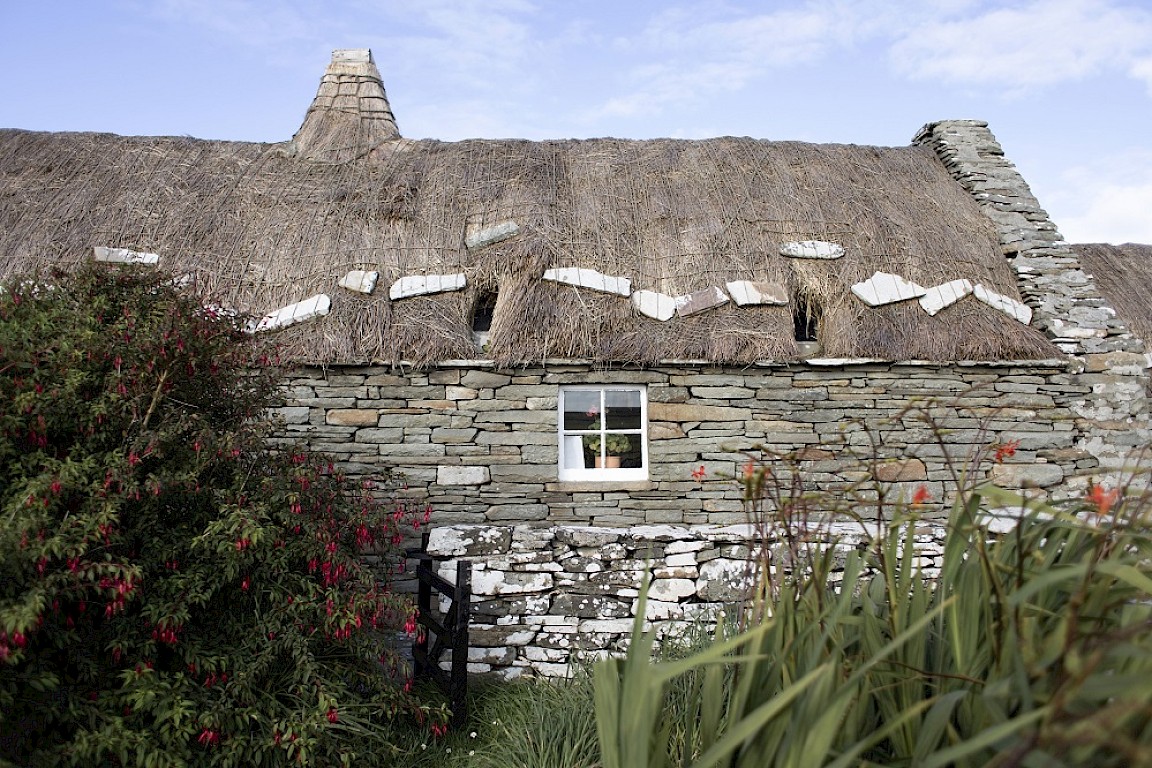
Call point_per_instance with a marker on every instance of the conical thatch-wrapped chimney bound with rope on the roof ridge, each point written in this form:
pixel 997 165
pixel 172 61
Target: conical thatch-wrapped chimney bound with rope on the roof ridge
pixel 351 115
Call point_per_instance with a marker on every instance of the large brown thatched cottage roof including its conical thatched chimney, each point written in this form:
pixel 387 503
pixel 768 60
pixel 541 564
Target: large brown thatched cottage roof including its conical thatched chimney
pixel 267 225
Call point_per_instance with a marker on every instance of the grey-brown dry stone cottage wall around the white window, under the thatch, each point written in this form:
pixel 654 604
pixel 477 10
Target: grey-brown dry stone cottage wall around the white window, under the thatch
pixel 481 445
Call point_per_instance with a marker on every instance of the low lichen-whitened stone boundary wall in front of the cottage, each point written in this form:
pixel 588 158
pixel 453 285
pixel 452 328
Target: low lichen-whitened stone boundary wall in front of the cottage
pixel 545 597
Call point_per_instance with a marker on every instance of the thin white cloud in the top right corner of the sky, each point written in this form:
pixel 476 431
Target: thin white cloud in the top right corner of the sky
pixel 1028 44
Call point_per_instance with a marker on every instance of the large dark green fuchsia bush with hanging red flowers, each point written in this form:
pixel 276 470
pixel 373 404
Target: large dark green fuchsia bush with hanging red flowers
pixel 173 591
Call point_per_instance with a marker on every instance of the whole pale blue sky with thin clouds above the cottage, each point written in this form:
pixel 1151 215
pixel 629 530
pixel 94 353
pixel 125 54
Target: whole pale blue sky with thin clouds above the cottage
pixel 1065 85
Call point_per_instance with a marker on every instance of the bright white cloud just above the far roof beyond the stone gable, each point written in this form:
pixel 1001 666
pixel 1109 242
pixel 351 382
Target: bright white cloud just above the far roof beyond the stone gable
pixel 1108 202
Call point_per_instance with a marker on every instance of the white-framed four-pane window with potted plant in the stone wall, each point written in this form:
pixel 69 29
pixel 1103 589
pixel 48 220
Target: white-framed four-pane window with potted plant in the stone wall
pixel 603 434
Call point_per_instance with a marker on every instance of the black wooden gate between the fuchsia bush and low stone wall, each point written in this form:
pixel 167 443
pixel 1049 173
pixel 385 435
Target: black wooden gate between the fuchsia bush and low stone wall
pixel 448 633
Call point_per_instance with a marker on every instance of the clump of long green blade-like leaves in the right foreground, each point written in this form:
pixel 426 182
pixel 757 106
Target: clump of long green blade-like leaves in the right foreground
pixel 1030 648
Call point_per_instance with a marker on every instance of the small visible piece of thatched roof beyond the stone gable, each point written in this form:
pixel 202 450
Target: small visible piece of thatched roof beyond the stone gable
pixel 1124 275
